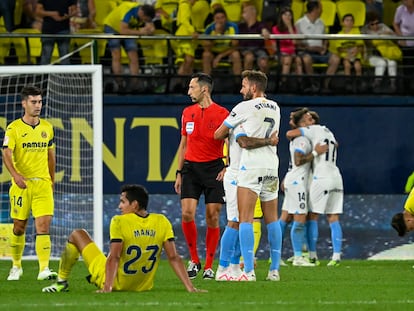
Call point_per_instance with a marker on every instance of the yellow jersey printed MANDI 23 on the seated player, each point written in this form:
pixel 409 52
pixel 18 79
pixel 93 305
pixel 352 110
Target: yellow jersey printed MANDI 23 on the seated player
pixel 143 239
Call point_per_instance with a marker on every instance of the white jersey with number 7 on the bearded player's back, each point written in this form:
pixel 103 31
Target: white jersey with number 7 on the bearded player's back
pixel 258 117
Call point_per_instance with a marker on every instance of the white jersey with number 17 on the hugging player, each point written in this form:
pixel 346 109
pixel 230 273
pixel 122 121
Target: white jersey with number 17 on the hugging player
pixel 323 163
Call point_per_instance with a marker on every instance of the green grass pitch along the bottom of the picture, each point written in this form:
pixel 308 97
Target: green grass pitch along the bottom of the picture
pixel 354 285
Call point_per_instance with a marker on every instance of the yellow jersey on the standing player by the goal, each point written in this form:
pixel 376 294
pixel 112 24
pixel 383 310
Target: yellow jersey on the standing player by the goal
pixel 30 145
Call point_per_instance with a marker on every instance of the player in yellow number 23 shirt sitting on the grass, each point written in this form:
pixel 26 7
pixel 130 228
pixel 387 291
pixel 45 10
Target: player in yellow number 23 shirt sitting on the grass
pixel 136 241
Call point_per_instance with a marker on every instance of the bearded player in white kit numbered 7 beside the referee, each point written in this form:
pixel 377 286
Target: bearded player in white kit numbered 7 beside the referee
pixel 258 170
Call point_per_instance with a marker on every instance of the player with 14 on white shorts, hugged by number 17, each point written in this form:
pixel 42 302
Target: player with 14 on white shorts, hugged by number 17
pixel 296 185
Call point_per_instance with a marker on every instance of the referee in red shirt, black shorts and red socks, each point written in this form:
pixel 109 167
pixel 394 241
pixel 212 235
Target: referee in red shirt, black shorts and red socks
pixel 200 170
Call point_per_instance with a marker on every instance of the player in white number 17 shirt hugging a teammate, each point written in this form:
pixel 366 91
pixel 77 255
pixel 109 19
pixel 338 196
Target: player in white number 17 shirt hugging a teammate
pixel 326 189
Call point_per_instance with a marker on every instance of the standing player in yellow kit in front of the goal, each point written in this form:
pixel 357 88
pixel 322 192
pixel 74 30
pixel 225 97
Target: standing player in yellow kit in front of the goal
pixel 29 156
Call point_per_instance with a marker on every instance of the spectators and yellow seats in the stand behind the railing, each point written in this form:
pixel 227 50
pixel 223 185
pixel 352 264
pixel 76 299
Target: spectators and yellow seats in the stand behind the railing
pixel 303 66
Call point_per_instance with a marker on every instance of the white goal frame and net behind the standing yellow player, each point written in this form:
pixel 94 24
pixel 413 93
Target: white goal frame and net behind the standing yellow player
pixel 72 103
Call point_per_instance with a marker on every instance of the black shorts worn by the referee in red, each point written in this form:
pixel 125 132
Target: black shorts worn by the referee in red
pixel 200 177
